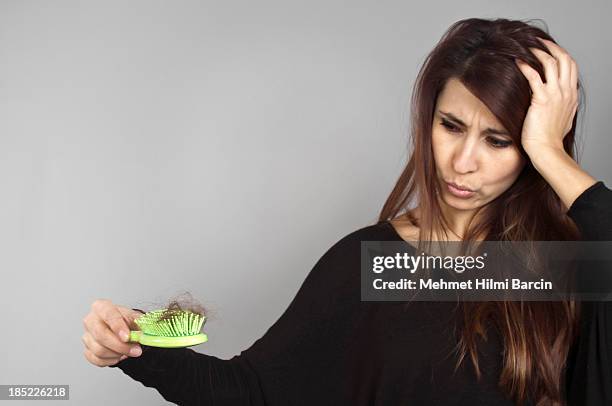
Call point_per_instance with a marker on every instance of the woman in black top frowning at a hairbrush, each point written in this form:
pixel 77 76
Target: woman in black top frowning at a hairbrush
pixel 492 159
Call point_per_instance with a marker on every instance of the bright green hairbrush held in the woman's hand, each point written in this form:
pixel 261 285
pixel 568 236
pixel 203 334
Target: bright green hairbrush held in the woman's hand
pixel 178 328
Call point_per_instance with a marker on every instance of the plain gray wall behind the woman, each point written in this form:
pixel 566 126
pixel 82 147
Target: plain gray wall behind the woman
pixel 153 147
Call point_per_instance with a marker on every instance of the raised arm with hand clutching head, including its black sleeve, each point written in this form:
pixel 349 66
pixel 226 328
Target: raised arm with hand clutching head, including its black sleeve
pixel 549 118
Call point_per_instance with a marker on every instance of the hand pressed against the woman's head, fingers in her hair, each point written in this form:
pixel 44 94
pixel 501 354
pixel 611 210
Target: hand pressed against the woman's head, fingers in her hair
pixel 554 103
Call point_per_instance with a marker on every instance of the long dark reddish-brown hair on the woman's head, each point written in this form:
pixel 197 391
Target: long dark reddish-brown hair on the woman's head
pixel 537 336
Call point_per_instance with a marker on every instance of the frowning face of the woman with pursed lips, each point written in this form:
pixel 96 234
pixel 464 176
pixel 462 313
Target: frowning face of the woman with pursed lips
pixel 473 152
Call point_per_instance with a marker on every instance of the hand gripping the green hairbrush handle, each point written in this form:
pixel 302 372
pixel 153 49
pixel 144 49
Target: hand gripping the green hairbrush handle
pixel 107 327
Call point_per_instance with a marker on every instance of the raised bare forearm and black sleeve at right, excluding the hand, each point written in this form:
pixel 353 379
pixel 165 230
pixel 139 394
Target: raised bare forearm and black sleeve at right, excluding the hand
pixel 589 203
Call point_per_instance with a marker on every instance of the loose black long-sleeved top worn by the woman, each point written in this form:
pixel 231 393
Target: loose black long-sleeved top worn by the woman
pixel 330 348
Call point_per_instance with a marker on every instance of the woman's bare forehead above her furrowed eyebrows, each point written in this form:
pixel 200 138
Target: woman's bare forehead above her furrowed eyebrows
pixel 458 100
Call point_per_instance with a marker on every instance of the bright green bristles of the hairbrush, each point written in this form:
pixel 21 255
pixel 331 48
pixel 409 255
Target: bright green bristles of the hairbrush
pixel 177 324
